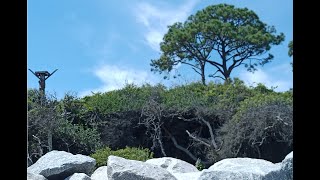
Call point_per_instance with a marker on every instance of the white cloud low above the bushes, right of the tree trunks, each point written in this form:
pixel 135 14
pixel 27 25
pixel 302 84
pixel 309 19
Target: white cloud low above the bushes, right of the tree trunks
pixel 260 76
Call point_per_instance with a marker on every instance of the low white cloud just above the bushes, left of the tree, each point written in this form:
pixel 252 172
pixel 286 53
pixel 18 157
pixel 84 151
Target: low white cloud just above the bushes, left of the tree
pixel 115 77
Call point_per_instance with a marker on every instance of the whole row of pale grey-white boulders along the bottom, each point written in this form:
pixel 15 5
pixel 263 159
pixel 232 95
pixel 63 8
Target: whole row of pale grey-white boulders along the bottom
pixel 60 165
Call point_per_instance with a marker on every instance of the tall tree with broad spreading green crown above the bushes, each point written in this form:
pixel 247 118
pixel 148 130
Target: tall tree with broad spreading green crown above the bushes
pixel 235 35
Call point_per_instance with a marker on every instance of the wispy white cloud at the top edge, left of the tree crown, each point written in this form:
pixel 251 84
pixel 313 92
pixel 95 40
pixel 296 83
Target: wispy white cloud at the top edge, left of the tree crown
pixel 156 19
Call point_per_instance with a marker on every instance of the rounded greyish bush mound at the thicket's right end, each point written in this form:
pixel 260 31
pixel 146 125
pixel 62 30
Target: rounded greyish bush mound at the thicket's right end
pixel 261 128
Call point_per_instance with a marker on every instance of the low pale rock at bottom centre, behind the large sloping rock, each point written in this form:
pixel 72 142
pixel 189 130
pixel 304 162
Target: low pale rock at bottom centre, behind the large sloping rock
pixel 173 165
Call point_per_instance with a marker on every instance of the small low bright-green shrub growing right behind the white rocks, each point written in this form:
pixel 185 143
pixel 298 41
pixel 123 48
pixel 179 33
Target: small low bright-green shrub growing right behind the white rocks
pixel 133 153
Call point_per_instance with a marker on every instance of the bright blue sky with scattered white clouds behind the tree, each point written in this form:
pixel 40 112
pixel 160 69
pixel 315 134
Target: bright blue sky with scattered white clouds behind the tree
pixel 100 45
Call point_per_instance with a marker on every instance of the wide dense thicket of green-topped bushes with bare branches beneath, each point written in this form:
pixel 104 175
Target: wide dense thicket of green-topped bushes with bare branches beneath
pixel 189 122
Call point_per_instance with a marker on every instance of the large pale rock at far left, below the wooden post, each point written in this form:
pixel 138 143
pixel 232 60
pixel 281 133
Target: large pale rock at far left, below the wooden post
pixel 59 165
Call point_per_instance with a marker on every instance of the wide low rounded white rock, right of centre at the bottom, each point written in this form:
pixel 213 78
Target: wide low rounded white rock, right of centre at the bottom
pixel 238 168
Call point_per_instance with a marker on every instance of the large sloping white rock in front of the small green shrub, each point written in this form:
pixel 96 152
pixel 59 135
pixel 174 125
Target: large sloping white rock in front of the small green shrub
pixel 122 169
